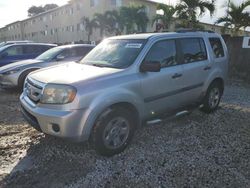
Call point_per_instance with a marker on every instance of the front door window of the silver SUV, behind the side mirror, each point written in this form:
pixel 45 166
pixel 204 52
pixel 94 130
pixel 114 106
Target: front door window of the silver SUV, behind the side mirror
pixel 163 52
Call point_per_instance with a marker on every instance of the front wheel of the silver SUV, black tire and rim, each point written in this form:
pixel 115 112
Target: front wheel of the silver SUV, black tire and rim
pixel 101 133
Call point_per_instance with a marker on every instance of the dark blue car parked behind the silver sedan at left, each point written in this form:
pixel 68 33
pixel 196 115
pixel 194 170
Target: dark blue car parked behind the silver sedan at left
pixel 17 52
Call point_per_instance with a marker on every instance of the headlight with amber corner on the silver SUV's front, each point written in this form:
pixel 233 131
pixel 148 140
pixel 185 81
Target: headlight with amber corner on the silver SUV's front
pixel 58 94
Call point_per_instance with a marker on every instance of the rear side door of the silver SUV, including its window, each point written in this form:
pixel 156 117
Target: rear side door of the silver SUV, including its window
pixel 196 65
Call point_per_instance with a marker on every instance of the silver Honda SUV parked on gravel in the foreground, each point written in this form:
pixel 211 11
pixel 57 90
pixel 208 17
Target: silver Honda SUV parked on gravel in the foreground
pixel 123 82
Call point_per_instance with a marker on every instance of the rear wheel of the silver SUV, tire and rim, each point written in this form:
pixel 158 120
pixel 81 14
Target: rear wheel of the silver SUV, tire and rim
pixel 209 104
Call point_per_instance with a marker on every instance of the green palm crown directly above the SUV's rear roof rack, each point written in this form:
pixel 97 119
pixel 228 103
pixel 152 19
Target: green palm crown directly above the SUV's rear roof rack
pixel 190 10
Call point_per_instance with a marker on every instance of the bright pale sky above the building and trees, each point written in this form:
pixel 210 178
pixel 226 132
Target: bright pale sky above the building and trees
pixel 14 10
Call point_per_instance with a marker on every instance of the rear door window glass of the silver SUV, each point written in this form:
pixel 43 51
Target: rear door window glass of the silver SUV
pixel 193 50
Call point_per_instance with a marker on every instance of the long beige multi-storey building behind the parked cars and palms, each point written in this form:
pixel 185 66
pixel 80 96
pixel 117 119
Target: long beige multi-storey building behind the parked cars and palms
pixel 63 24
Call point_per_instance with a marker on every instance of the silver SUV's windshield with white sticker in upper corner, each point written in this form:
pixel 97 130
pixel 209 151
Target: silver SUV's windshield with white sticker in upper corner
pixel 114 53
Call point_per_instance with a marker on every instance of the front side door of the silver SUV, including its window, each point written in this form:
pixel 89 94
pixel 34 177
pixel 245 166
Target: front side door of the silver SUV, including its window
pixel 162 90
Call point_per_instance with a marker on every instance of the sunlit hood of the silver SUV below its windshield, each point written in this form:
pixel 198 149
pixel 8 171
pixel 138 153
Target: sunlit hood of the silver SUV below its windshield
pixel 71 73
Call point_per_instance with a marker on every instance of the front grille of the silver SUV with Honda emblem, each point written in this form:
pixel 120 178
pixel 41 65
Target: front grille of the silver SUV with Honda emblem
pixel 33 90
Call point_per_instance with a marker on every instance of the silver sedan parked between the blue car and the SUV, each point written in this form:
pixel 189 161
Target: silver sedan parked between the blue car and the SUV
pixel 14 74
